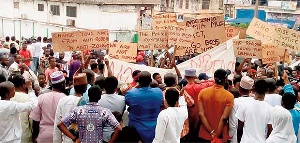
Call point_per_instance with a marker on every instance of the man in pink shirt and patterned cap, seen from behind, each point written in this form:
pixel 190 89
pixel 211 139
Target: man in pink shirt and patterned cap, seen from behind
pixel 44 115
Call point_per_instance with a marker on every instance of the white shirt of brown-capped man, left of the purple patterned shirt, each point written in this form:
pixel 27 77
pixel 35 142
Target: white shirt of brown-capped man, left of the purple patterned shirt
pixel 64 107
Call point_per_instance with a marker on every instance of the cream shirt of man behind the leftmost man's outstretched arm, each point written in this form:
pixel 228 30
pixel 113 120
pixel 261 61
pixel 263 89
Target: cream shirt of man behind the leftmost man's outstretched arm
pixel 24 117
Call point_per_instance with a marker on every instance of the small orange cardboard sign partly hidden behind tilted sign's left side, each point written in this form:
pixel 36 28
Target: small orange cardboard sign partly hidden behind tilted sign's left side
pixel 232 31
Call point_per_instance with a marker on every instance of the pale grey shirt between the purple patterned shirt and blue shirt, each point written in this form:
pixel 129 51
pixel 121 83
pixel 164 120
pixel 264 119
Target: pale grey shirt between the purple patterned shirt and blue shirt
pixel 113 102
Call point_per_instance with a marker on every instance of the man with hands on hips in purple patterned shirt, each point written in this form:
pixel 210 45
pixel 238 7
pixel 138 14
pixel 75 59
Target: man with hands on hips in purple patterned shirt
pixel 87 117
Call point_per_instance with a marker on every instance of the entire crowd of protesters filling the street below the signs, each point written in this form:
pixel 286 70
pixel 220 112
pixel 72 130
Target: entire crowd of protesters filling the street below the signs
pixel 66 97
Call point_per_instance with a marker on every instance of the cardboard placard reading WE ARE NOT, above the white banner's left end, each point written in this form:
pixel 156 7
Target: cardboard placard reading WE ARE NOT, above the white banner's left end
pixel 123 51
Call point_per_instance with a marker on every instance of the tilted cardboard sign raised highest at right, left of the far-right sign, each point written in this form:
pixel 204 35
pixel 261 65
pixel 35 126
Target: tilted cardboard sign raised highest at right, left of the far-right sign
pixel 261 31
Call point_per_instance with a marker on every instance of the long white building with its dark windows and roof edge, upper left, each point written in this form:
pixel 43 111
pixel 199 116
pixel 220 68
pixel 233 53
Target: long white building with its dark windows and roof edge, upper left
pixel 42 17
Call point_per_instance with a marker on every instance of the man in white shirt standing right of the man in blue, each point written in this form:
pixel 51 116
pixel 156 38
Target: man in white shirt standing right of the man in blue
pixel 170 121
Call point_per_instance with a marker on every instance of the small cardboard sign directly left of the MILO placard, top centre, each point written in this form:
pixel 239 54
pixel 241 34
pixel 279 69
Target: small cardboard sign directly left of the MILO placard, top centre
pixel 162 21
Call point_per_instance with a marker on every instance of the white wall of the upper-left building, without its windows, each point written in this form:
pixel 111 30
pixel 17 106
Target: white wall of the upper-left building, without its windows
pixel 121 20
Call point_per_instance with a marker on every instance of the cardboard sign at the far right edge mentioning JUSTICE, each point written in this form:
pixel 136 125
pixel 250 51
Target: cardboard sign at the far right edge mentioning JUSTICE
pixel 287 39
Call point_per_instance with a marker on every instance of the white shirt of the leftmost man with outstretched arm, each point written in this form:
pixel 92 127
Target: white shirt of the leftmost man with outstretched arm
pixel 10 129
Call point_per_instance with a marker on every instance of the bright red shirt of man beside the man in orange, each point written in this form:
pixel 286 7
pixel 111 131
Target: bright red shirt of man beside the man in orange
pixel 193 90
